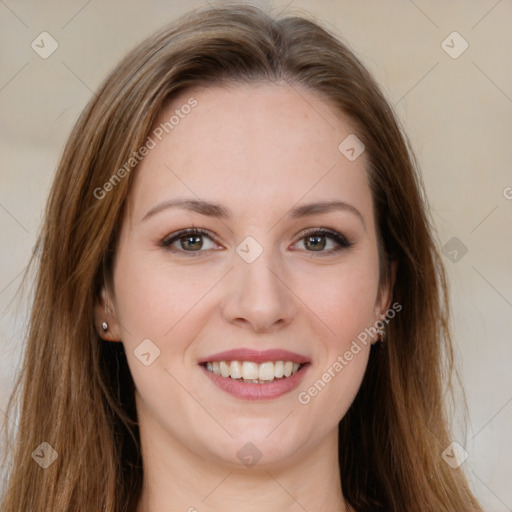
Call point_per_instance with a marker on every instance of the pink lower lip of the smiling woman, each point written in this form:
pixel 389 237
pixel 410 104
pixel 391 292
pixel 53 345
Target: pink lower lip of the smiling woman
pixel 252 391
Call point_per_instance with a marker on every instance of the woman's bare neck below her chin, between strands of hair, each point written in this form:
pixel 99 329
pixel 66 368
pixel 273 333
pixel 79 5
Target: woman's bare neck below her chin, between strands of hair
pixel 191 483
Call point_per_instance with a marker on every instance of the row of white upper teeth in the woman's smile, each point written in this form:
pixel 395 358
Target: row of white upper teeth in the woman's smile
pixel 249 371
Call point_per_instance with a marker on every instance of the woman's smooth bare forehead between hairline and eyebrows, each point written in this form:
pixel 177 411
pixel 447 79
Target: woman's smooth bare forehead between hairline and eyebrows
pixel 248 144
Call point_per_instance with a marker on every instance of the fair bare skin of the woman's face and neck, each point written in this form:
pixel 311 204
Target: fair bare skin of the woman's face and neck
pixel 260 150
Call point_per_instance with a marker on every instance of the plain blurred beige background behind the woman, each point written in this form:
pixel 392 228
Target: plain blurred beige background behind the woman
pixel 456 111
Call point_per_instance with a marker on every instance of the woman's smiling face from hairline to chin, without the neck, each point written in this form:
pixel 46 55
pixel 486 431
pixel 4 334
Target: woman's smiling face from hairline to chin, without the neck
pixel 264 279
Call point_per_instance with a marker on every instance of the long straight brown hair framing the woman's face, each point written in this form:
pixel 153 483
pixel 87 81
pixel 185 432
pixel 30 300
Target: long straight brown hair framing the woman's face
pixel 76 391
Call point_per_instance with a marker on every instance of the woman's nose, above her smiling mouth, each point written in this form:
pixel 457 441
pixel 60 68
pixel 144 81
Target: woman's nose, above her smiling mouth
pixel 259 297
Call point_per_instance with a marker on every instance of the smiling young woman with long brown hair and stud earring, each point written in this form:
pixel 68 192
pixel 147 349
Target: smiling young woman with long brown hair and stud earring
pixel 240 303
